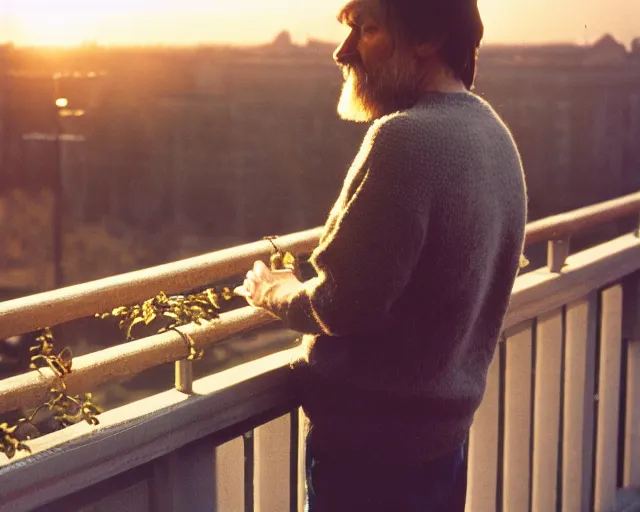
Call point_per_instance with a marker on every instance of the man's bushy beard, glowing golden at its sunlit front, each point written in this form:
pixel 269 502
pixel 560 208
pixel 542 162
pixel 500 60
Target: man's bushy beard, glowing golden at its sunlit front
pixel 367 96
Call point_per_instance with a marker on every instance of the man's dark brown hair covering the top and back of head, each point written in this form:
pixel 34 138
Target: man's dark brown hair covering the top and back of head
pixel 455 24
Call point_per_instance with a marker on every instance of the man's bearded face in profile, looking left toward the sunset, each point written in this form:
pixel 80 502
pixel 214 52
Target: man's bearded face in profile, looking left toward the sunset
pixel 381 75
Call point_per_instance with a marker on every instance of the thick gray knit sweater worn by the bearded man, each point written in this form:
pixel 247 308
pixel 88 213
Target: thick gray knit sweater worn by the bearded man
pixel 415 270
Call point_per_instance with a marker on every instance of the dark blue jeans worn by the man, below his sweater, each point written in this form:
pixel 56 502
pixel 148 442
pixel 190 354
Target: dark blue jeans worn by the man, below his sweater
pixel 344 485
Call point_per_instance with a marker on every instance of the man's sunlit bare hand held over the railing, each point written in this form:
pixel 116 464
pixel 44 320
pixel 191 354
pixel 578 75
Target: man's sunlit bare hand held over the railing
pixel 266 288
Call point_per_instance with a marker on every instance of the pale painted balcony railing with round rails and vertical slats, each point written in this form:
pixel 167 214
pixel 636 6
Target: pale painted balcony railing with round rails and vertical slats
pixel 559 428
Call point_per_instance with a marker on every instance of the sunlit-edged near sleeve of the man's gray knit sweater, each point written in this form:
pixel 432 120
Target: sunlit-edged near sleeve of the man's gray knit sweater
pixel 368 254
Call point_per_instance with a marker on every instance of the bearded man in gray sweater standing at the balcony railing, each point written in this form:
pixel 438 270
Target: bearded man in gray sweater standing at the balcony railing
pixel 415 266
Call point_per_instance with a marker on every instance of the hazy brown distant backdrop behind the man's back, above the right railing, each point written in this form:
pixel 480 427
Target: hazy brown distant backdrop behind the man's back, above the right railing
pixel 574 112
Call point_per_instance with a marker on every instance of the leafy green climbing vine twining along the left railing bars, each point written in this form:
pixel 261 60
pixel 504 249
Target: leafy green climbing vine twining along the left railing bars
pixel 156 315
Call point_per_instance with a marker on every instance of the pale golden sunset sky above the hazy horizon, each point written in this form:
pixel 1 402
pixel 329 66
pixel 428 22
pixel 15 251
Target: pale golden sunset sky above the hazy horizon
pixel 123 22
